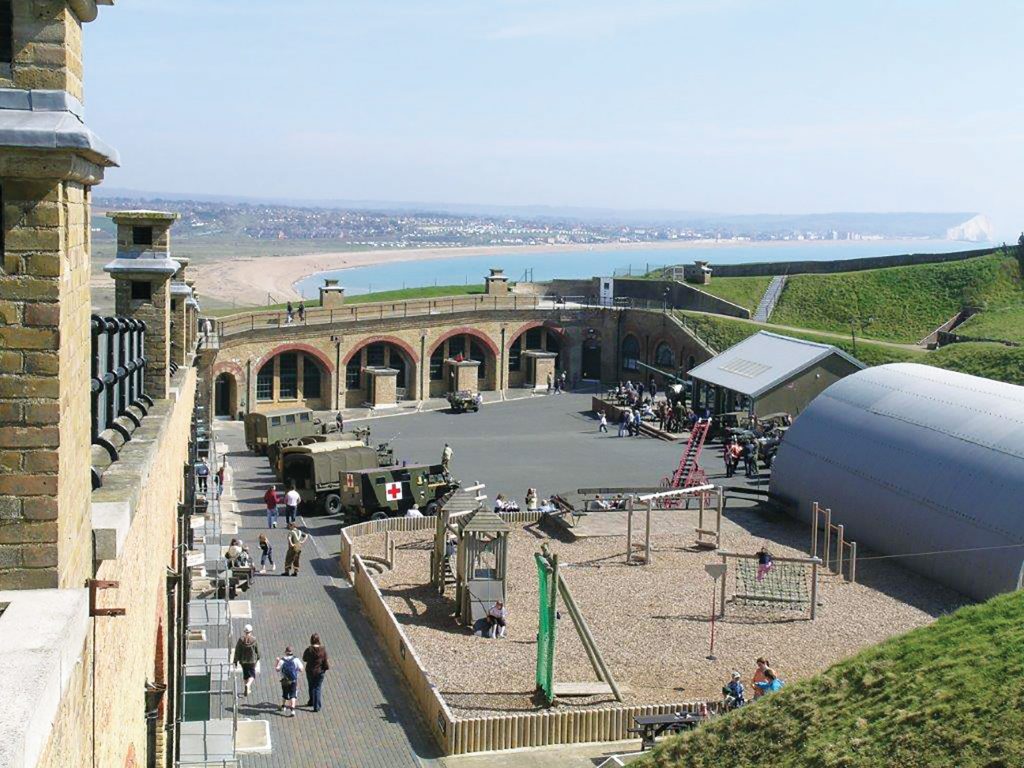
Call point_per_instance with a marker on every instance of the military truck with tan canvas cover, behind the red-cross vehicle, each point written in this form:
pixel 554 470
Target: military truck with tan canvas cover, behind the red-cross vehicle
pixel 315 470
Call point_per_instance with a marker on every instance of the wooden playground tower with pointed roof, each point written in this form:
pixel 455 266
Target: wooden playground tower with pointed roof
pixel 482 564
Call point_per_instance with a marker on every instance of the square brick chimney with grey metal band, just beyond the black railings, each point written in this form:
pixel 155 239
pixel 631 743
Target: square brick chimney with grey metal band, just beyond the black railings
pixel 143 273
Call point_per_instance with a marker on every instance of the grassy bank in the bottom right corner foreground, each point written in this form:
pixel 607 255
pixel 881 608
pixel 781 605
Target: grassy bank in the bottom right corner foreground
pixel 948 696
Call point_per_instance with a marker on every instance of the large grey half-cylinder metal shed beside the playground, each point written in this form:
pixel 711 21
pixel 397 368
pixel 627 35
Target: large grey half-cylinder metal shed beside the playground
pixel 916 459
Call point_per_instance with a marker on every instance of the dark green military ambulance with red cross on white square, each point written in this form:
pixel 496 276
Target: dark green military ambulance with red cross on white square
pixel 392 491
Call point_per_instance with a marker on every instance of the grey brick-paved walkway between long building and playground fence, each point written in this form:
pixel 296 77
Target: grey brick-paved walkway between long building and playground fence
pixel 368 718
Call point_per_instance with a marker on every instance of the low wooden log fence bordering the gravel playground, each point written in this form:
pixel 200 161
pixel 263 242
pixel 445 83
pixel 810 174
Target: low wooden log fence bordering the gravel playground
pixel 511 732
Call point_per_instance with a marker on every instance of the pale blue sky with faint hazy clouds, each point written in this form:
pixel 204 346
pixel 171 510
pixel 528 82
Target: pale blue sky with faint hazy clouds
pixel 720 106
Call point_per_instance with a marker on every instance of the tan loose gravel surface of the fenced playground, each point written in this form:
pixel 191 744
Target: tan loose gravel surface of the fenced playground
pixel 652 623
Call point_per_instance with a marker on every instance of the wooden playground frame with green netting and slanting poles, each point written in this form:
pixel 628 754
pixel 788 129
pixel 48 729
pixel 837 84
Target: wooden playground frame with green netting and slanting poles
pixel 551 586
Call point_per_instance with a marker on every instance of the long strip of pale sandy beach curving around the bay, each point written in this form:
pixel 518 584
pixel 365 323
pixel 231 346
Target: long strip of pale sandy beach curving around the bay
pixel 250 281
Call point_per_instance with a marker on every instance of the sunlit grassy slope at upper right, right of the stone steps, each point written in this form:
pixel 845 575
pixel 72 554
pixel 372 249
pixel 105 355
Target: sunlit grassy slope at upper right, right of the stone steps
pixel 900 304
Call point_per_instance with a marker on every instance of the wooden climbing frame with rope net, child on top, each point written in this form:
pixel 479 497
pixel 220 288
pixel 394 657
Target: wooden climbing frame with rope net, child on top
pixel 791 585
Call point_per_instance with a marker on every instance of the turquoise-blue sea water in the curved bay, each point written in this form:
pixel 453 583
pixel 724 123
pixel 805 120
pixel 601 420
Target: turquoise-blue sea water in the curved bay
pixel 600 262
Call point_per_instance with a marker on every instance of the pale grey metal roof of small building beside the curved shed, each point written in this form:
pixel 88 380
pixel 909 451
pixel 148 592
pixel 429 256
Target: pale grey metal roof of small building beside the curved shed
pixel 761 363
